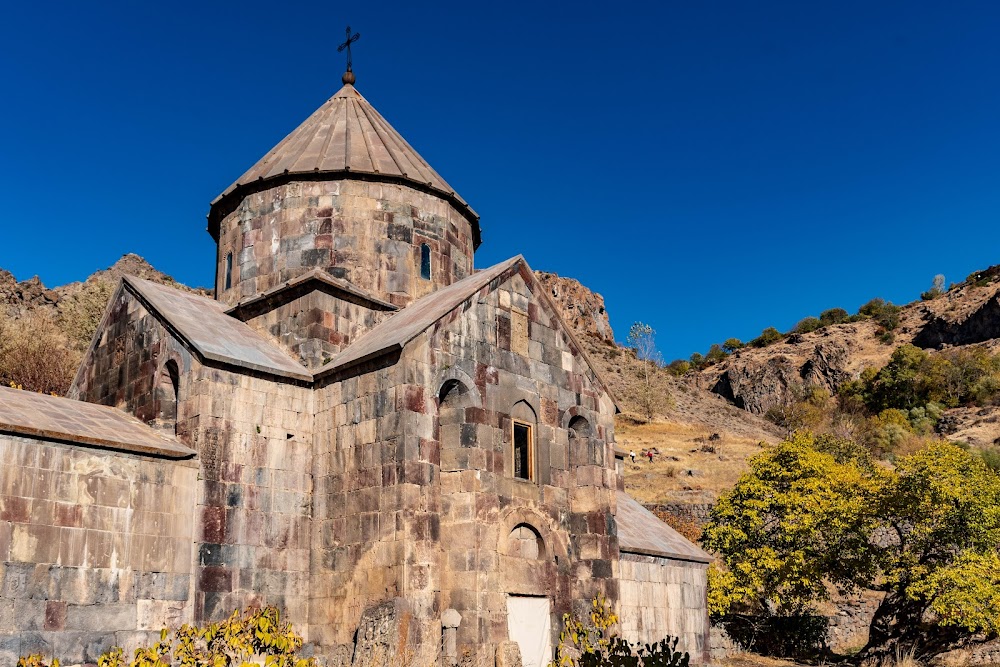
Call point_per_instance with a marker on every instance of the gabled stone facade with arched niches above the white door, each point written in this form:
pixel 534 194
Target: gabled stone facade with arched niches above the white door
pixel 509 353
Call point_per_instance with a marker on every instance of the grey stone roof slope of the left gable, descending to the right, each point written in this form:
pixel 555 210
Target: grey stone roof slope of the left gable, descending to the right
pixel 204 326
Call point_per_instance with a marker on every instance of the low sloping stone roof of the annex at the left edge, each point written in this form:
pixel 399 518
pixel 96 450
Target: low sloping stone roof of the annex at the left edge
pixel 32 415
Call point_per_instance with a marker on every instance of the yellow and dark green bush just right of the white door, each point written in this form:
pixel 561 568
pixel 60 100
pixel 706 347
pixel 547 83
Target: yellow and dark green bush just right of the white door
pixel 594 642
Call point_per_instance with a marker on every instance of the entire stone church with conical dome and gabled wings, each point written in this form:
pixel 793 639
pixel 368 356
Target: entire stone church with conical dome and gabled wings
pixel 395 448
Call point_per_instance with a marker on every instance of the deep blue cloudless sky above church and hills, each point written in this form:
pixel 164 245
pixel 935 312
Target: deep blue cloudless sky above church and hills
pixel 711 168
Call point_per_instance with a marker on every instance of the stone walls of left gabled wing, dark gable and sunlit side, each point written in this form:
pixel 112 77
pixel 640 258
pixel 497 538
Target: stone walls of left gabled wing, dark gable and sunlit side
pixel 254 441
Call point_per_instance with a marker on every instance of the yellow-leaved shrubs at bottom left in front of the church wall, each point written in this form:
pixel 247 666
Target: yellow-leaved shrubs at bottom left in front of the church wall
pixel 237 641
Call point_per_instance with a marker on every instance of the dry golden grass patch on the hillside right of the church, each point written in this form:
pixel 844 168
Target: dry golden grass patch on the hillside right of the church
pixel 685 469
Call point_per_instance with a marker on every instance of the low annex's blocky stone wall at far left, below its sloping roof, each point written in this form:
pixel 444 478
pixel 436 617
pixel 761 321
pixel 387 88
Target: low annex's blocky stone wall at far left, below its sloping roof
pixel 97 548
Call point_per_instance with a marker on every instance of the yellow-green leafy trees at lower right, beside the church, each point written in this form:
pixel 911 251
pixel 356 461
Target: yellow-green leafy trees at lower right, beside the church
pixel 818 511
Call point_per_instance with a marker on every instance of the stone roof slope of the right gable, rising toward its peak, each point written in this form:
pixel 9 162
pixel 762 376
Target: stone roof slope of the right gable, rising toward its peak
pixel 398 330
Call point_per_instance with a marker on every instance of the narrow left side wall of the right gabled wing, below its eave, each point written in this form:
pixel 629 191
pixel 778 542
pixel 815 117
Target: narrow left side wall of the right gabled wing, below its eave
pixel 367 505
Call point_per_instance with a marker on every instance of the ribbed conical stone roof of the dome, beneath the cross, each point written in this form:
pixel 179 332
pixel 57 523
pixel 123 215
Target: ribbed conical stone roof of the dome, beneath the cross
pixel 344 136
